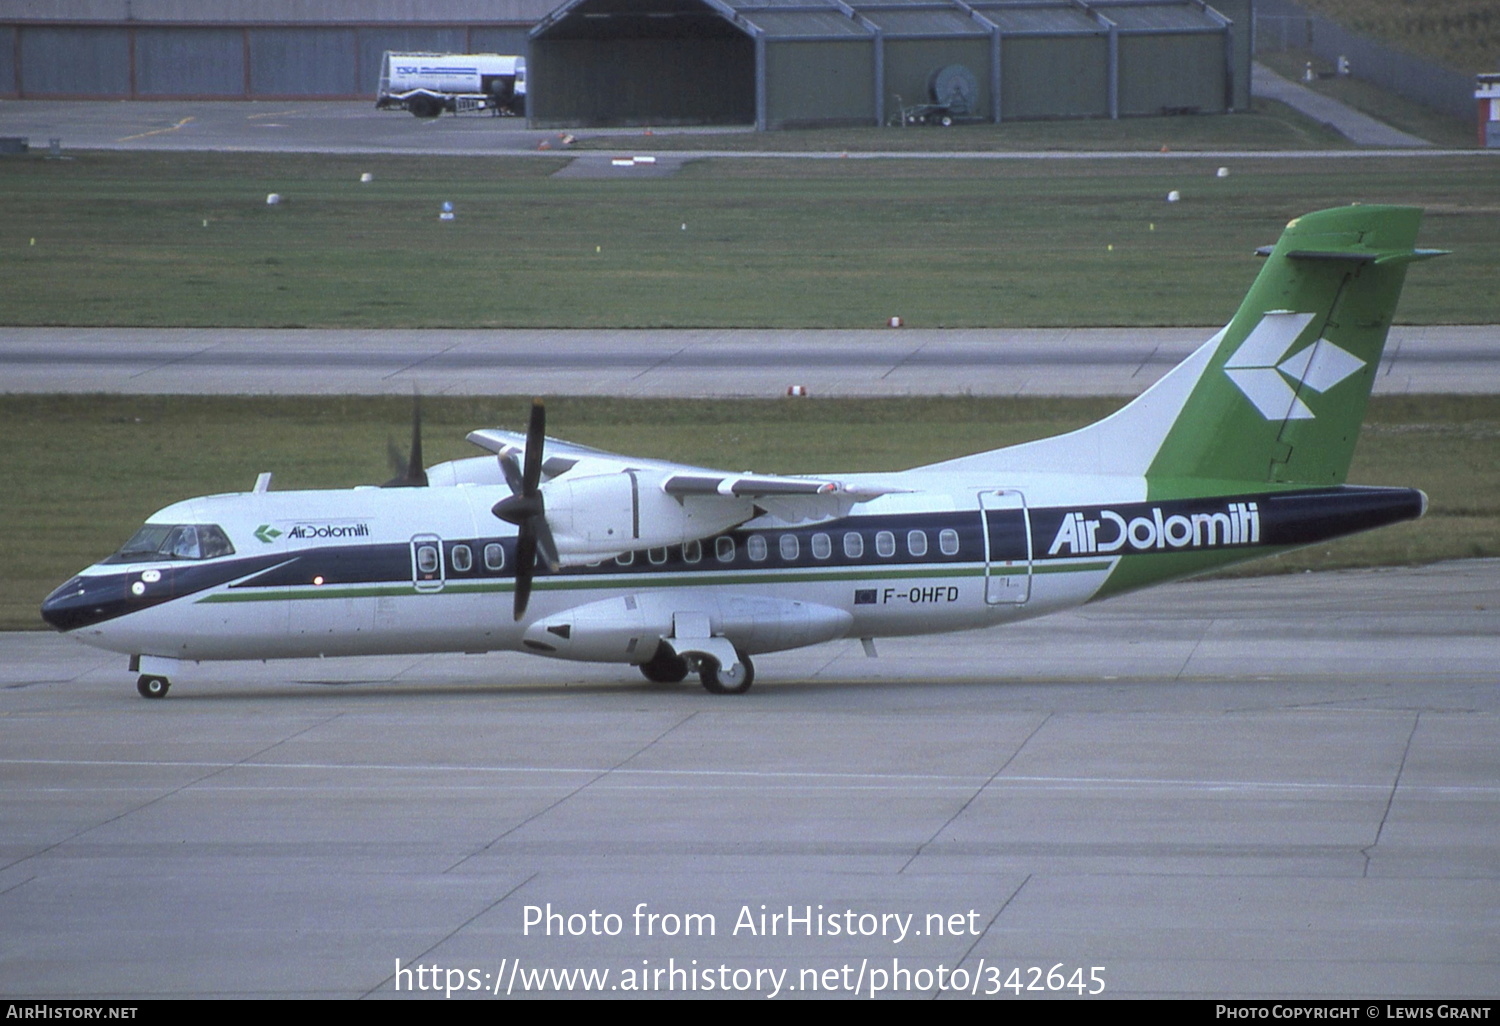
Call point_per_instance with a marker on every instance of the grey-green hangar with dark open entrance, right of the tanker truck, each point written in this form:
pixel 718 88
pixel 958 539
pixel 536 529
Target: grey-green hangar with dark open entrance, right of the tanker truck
pixel 785 64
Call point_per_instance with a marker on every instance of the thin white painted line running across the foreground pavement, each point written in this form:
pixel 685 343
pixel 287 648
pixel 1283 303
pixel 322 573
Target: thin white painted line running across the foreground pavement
pixel 956 781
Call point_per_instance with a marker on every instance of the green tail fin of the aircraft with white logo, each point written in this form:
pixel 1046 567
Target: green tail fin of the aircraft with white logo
pixel 1283 395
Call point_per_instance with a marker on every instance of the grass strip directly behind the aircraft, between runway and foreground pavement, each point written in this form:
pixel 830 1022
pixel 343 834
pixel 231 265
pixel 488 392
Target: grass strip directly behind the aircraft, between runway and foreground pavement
pixel 83 472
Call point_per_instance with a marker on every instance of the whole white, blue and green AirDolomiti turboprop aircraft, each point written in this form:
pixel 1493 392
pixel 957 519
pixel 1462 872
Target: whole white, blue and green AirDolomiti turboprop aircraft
pixel 1238 452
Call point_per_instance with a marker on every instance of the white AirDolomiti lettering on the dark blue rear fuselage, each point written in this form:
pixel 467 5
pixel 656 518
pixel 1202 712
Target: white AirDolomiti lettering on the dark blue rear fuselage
pixel 1112 532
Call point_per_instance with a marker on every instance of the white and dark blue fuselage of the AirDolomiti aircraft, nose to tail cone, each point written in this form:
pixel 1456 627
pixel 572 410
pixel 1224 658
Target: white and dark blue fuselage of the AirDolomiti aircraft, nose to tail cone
pixel 412 571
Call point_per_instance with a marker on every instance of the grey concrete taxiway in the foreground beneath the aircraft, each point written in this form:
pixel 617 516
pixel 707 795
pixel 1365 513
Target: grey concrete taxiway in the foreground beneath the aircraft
pixel 1265 788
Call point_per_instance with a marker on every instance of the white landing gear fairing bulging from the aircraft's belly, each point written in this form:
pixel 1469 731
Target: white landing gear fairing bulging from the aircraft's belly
pixel 628 629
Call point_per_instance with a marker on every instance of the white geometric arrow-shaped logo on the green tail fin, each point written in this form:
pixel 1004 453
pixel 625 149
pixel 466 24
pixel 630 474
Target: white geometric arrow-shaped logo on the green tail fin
pixel 1262 370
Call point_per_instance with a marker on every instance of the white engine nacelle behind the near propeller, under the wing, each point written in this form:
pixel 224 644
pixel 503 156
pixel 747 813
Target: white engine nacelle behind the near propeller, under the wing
pixel 601 517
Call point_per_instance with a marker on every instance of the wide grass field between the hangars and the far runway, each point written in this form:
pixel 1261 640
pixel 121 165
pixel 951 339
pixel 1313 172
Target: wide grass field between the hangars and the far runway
pixel 187 239
